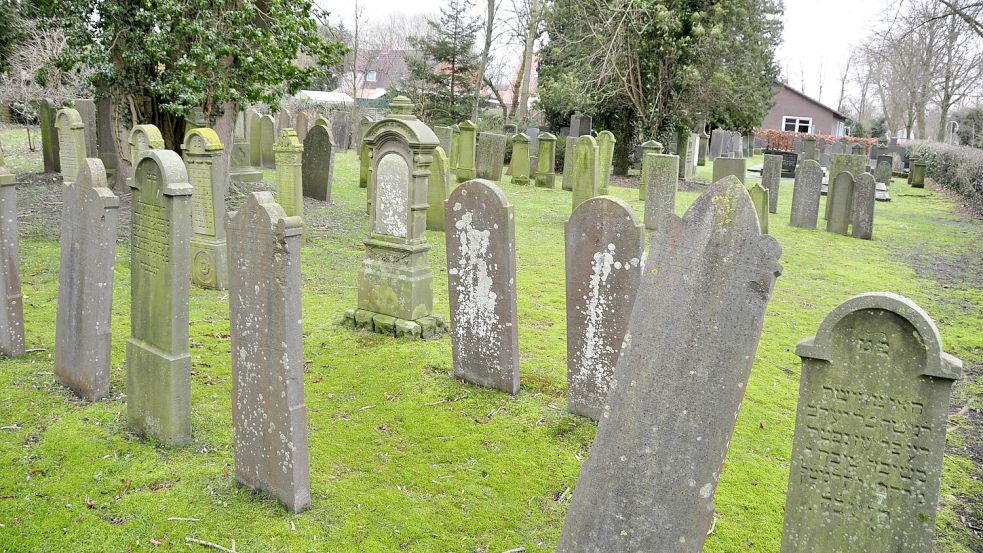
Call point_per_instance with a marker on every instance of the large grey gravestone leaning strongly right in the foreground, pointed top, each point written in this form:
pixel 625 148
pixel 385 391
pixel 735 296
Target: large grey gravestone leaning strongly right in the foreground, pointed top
pixel 656 459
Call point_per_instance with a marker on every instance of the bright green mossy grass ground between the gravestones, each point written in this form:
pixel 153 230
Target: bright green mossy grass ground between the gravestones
pixel 404 457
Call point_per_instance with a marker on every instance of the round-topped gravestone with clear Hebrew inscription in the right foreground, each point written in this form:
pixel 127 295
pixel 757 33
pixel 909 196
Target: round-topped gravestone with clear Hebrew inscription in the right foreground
pixel 869 430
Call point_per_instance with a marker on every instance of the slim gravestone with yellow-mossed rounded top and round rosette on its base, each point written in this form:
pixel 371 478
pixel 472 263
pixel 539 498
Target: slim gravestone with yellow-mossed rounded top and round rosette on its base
pixel 209 255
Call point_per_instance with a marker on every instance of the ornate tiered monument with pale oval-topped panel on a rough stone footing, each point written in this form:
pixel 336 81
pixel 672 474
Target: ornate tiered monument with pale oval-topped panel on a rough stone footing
pixel 395 285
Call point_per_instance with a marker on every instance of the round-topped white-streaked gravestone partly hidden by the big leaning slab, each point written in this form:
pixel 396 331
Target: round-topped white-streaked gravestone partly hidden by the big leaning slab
pixel 605 244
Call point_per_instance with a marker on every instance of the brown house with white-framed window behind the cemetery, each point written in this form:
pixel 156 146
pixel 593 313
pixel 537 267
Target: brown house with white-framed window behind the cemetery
pixel 796 112
